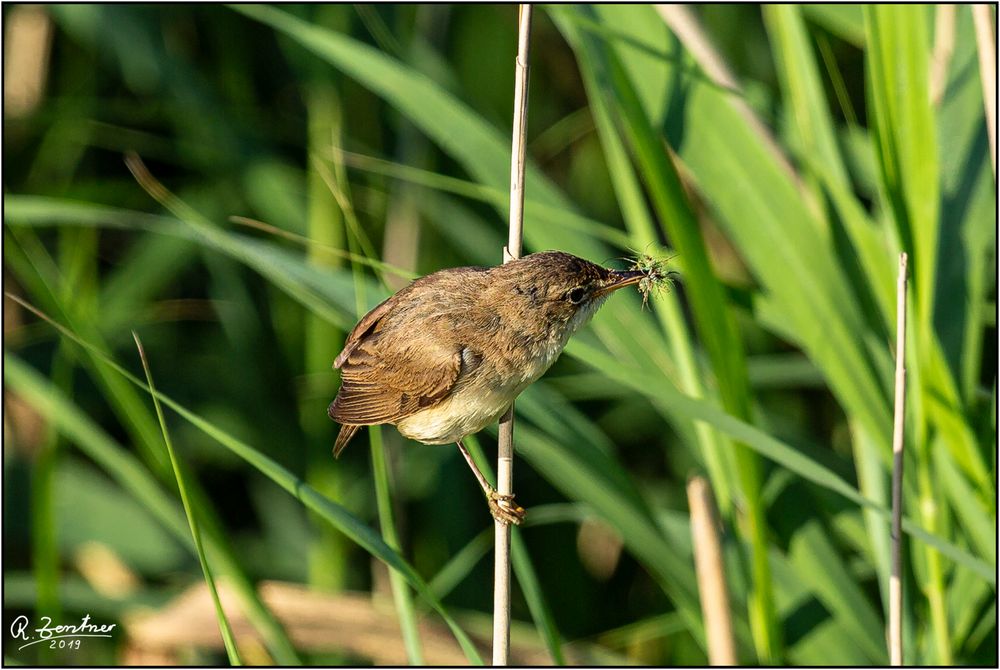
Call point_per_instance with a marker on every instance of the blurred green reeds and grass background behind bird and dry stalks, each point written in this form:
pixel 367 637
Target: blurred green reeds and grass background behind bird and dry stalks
pixel 312 158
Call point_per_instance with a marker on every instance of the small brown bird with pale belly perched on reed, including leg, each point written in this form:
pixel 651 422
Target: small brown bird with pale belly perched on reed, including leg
pixel 445 356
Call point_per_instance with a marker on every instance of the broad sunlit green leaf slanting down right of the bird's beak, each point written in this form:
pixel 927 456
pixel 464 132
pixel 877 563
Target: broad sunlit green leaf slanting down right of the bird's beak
pixel 738 177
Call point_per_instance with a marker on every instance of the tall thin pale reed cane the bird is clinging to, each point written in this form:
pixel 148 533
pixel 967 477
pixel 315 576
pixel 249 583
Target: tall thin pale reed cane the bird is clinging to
pixel 505 441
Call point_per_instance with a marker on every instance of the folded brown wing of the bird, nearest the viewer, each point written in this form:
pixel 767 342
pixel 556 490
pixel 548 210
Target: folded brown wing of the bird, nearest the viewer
pixel 383 380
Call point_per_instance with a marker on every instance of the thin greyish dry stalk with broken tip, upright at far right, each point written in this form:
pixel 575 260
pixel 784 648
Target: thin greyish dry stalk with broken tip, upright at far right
pixel 896 573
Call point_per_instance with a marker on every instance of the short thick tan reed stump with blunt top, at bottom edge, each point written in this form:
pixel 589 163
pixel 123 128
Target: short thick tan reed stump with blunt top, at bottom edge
pixel 711 573
